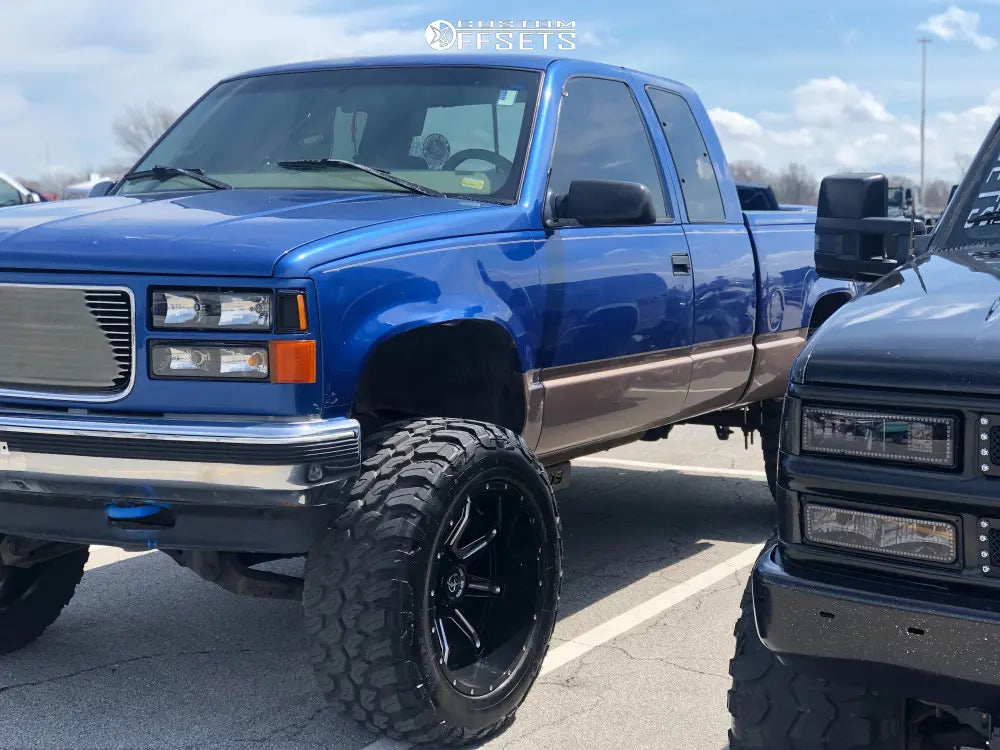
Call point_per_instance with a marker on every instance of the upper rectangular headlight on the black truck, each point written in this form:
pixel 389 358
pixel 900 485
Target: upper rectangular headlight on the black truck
pixel 908 438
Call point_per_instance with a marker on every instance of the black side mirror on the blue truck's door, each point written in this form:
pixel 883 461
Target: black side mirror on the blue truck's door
pixel 605 203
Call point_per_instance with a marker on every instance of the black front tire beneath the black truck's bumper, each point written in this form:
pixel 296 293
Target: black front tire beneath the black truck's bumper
pixel 774 707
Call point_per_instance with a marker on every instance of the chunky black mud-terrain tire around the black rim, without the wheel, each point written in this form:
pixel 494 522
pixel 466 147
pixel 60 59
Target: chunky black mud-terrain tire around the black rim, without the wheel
pixel 359 620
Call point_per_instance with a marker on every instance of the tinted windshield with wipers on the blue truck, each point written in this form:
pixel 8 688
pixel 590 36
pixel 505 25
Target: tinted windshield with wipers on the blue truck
pixel 456 130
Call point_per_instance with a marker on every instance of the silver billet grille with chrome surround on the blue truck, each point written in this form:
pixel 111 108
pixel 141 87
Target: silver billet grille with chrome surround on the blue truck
pixel 61 341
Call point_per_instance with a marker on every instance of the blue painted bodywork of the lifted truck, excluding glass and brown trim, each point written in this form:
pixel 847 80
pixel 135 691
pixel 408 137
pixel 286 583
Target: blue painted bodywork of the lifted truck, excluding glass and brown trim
pixel 375 265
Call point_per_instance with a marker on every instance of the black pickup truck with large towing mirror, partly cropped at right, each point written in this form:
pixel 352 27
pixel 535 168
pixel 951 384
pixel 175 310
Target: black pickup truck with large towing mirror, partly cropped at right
pixel 872 619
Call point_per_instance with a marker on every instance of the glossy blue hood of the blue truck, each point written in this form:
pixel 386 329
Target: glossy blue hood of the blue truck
pixel 224 232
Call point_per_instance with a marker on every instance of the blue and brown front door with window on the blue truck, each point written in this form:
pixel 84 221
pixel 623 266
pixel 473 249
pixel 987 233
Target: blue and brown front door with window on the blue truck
pixel 617 315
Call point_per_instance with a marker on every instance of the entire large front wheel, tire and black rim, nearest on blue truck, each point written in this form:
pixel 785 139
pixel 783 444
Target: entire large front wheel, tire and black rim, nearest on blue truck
pixel 430 604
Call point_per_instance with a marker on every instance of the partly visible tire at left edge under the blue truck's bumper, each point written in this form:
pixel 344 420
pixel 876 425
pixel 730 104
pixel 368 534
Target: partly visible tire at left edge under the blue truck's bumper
pixel 32 598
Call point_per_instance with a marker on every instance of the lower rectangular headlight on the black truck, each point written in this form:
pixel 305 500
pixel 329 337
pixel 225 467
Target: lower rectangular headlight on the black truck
pixel 884 534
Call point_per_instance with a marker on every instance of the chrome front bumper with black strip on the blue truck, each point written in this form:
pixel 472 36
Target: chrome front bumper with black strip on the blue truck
pixel 172 460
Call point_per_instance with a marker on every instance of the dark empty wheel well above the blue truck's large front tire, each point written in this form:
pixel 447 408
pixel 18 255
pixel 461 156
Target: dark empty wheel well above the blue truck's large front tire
pixel 467 369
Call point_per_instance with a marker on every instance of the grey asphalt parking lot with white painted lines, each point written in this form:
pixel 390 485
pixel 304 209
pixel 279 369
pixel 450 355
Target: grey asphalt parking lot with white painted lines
pixel 658 541
